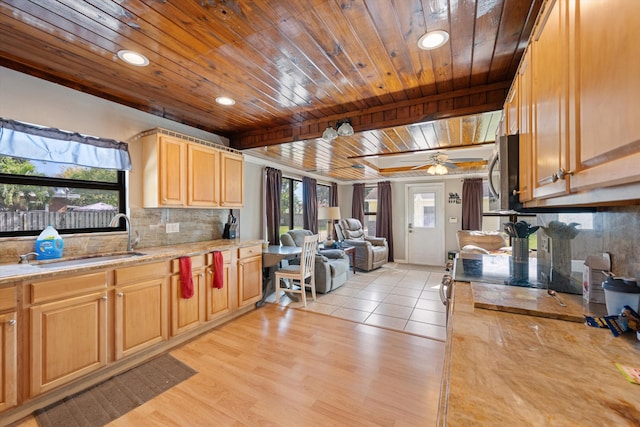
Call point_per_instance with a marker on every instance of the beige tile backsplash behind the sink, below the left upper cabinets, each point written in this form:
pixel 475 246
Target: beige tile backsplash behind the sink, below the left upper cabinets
pixel 195 225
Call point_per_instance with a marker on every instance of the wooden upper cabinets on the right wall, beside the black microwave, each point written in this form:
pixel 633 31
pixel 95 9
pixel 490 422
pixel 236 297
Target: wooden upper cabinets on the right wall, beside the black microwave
pixel 576 92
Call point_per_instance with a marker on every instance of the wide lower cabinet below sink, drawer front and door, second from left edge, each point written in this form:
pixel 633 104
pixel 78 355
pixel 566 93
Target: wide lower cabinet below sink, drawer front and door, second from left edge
pixel 68 329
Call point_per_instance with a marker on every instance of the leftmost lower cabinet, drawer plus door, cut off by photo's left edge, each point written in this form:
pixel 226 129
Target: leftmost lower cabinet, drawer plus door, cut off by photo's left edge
pixel 8 349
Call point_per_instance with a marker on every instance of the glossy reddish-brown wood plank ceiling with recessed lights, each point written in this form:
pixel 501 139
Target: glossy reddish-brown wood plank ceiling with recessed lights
pixel 293 68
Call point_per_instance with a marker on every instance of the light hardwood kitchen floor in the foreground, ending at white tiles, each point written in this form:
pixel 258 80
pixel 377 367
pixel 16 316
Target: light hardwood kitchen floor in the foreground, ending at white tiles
pixel 278 366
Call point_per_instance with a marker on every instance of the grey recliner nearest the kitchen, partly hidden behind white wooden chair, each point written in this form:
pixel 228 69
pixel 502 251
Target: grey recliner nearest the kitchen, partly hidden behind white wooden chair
pixel 331 265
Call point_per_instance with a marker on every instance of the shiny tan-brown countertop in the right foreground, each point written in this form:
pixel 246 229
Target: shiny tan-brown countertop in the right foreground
pixel 504 368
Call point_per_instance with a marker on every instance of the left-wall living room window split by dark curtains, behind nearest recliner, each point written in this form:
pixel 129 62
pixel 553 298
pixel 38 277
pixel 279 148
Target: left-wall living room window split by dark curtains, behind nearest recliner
pixel 291 205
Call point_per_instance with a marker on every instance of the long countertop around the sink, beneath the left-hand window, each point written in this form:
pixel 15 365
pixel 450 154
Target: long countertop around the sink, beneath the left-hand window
pixel 11 273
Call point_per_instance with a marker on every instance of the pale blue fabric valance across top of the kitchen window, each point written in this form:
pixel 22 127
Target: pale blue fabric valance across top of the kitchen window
pixel 32 142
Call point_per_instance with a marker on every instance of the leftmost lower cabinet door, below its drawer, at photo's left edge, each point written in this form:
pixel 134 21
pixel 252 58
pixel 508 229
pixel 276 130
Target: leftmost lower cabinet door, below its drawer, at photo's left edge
pixel 8 361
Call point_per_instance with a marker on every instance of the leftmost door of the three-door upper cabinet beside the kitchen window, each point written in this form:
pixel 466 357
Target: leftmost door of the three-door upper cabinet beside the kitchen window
pixel 172 171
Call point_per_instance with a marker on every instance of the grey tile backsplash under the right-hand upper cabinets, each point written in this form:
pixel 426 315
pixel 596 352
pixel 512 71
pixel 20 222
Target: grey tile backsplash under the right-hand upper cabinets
pixel 614 230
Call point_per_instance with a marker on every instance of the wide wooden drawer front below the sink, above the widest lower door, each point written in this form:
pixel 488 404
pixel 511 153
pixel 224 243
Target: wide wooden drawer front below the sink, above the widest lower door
pixel 67 286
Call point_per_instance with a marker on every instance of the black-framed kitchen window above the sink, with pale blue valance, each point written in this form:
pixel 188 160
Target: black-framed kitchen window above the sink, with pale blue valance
pixel 51 177
